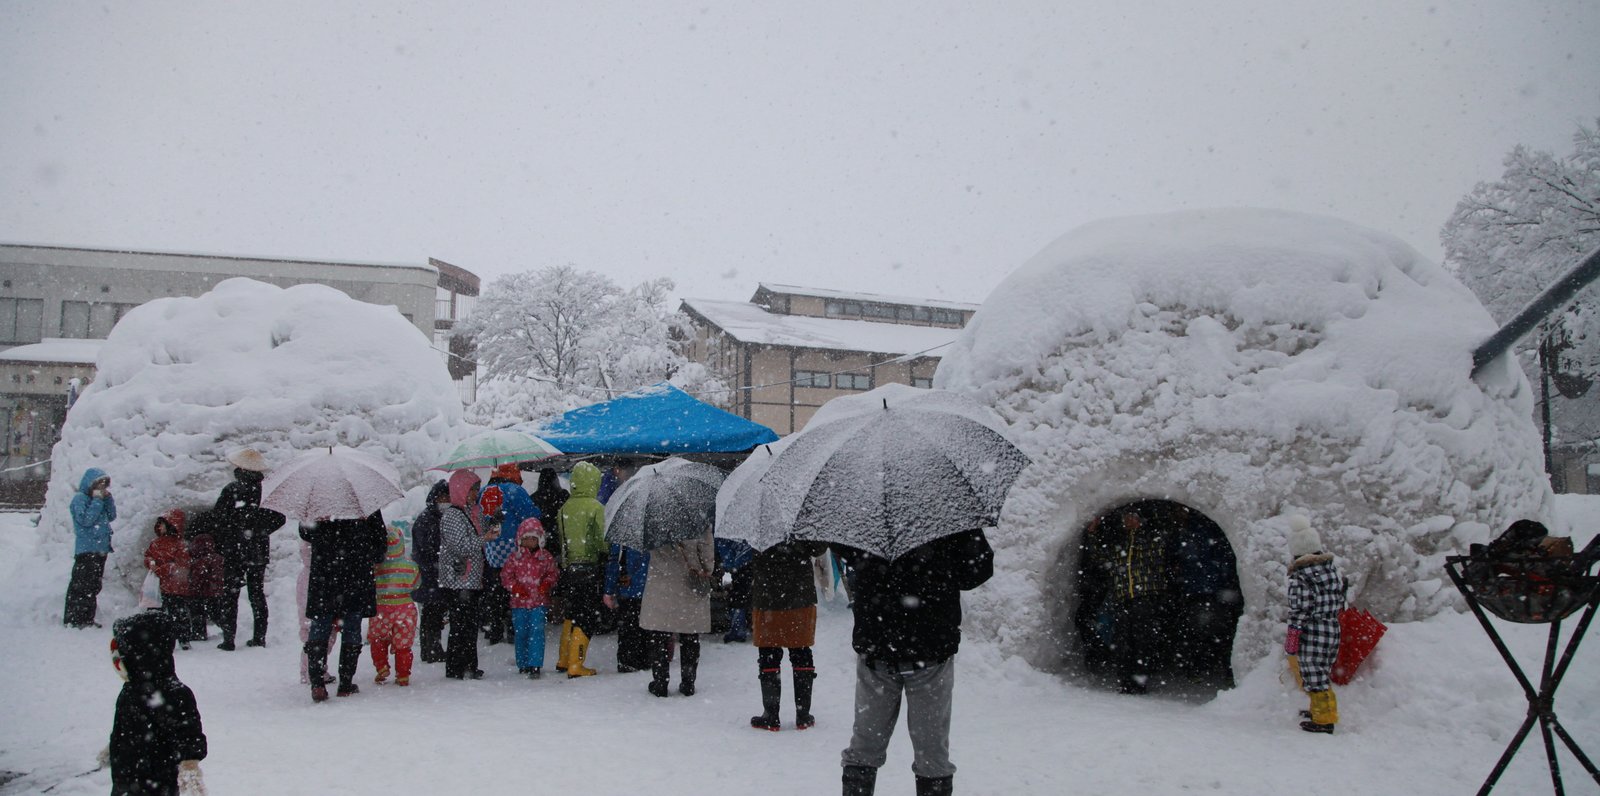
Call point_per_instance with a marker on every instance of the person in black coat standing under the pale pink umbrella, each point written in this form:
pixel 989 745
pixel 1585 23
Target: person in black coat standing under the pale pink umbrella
pixel 342 587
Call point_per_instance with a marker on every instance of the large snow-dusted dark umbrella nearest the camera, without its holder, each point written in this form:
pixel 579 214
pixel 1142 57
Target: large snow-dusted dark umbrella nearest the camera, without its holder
pixel 894 469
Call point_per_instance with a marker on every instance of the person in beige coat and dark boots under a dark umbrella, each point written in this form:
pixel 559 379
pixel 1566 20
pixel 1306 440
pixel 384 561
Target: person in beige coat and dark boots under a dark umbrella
pixel 678 605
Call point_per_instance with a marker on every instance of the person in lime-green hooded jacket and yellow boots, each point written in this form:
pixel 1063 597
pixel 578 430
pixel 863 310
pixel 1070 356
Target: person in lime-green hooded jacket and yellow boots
pixel 582 523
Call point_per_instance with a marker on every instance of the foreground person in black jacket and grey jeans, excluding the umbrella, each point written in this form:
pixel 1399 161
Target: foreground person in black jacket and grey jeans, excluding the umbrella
pixel 906 635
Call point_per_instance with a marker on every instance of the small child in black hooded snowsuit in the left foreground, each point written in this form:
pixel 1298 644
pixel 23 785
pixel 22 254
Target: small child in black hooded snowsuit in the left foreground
pixel 156 730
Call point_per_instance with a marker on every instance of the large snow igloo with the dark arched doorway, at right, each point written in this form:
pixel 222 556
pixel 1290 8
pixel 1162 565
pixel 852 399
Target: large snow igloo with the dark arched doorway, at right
pixel 1244 365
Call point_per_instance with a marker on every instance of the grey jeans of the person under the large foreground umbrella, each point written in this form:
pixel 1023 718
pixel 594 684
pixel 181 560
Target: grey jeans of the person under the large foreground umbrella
pixel 879 688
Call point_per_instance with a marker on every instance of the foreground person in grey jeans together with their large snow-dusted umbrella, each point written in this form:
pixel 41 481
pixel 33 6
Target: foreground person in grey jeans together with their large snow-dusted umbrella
pixel 902 482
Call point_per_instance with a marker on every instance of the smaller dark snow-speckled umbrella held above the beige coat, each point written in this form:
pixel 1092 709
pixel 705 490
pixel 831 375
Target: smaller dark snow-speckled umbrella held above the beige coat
pixel 663 504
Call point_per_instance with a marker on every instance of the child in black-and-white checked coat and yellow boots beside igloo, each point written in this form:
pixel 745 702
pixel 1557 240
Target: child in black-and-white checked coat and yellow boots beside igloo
pixel 1313 642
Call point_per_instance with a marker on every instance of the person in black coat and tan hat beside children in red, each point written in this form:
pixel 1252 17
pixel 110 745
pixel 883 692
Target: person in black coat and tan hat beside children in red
pixel 244 533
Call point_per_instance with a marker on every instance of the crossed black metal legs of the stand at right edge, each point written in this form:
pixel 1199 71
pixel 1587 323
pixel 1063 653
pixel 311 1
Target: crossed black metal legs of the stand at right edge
pixel 1542 702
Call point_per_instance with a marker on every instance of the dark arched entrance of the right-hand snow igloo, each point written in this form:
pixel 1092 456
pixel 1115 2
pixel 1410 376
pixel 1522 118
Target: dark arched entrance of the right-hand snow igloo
pixel 1158 599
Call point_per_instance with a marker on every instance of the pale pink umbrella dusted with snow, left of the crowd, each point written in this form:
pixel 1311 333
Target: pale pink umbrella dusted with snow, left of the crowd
pixel 332 484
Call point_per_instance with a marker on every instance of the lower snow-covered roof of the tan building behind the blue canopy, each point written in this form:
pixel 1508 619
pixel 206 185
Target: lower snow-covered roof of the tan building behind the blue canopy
pixel 754 325
